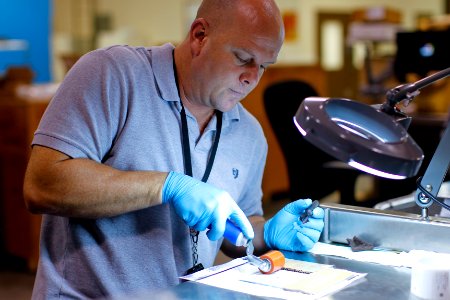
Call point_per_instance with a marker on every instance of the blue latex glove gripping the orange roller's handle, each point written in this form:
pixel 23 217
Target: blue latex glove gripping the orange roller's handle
pixel 203 206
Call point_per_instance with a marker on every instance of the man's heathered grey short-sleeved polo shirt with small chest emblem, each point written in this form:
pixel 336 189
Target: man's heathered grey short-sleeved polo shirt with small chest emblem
pixel 119 106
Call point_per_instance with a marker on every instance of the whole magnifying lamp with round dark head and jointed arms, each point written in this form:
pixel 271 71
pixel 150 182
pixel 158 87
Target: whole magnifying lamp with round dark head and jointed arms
pixel 374 139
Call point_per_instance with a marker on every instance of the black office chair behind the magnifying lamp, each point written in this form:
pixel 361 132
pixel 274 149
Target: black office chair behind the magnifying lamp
pixel 307 166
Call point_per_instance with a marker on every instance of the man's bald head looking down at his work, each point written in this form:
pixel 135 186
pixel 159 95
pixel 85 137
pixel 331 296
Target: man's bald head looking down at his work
pixel 227 49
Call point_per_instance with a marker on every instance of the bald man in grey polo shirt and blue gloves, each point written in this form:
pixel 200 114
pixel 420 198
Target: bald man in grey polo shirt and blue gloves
pixel 113 157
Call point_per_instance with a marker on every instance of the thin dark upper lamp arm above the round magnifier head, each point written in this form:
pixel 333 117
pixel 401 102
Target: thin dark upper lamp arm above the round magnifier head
pixel 409 90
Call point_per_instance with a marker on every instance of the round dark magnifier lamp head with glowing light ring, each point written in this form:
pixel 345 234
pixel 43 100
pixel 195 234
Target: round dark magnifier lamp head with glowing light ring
pixel 359 135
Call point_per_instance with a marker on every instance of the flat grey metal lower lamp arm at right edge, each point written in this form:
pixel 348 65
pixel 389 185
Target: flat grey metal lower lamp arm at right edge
pixel 430 183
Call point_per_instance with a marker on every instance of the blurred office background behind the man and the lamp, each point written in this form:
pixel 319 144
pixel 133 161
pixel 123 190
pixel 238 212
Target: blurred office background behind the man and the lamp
pixel 349 49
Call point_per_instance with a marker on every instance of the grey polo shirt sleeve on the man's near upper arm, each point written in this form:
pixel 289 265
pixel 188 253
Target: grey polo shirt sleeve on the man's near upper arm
pixel 83 118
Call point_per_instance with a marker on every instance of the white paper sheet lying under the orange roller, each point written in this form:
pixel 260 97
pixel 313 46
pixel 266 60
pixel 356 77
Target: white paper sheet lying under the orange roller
pixel 309 281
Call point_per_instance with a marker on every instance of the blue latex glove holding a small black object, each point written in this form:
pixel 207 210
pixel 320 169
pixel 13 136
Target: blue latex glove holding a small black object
pixel 286 232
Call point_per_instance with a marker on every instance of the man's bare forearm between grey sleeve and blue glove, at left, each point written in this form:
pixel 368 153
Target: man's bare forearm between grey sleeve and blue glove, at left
pixel 59 185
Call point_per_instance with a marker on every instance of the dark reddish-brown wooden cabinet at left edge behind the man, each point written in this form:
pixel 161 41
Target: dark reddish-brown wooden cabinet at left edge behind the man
pixel 19 119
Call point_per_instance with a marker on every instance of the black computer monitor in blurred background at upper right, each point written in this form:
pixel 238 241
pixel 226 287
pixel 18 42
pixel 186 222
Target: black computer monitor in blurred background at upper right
pixel 421 52
